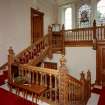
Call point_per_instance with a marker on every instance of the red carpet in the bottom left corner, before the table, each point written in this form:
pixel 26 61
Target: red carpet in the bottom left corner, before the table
pixel 8 98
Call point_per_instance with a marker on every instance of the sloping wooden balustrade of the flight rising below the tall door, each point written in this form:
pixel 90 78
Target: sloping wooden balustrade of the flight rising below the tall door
pixel 33 52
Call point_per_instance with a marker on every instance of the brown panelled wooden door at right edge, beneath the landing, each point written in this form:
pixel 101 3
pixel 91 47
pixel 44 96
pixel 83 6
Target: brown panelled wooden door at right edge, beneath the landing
pixel 100 65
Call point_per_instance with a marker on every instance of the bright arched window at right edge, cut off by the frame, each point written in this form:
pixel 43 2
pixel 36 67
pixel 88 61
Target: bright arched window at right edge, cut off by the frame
pixel 101 12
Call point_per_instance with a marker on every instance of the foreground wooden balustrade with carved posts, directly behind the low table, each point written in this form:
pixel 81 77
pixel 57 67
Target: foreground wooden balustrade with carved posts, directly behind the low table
pixel 62 89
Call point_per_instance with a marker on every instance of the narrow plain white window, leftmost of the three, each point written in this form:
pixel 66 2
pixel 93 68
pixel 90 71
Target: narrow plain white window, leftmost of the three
pixel 68 18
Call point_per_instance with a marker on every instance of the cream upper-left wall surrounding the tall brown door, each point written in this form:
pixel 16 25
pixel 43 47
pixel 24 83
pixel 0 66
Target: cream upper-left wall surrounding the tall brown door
pixel 15 27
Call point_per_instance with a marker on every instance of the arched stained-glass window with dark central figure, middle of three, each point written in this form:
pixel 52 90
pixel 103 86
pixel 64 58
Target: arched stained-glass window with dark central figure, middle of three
pixel 84 16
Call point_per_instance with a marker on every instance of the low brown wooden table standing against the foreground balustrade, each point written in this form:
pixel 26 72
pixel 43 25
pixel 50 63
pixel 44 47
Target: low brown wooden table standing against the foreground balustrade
pixel 34 89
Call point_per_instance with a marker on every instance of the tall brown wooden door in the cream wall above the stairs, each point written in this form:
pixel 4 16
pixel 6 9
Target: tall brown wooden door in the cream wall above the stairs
pixel 36 25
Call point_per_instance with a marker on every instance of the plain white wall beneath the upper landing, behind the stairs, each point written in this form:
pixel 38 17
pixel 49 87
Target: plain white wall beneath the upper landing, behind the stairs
pixel 78 59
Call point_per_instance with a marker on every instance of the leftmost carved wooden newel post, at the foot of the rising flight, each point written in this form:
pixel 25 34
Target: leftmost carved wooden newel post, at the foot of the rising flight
pixel 10 61
